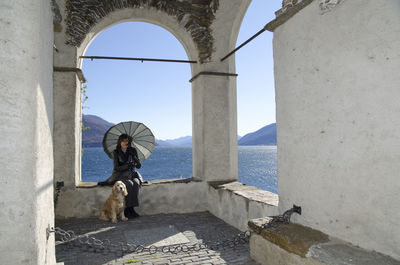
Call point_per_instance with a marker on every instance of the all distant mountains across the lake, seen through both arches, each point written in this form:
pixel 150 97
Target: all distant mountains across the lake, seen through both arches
pixel 95 128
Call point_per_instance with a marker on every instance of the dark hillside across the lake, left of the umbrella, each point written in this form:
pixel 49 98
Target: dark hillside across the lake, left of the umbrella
pixel 97 127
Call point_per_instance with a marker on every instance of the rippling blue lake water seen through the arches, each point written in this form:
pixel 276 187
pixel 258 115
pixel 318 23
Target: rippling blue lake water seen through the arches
pixel 256 165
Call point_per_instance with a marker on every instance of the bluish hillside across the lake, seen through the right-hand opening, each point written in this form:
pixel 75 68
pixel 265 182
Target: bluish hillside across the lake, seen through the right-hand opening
pixel 264 136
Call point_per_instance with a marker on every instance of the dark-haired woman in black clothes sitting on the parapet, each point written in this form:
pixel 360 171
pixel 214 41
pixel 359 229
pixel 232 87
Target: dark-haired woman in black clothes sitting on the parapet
pixel 125 160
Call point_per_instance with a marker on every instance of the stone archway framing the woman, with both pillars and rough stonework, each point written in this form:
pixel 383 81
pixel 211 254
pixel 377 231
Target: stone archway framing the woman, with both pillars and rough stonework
pixel 207 31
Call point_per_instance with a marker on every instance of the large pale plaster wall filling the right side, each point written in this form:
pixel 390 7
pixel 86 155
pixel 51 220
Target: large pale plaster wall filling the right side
pixel 337 93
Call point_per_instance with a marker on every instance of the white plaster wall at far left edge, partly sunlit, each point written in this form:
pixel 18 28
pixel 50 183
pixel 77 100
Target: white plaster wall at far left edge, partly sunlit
pixel 26 121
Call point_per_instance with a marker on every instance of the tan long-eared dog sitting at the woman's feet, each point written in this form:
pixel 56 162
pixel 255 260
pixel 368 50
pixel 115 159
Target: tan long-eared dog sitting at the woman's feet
pixel 115 204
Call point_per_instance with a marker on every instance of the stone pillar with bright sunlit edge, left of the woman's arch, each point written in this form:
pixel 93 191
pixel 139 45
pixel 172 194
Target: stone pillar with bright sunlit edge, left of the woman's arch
pixel 67 107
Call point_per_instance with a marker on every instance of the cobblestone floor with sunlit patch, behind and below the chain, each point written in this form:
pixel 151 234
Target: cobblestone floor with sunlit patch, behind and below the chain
pixel 154 229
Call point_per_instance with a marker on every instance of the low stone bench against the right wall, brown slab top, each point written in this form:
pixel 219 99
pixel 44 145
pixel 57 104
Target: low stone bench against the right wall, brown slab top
pixel 294 244
